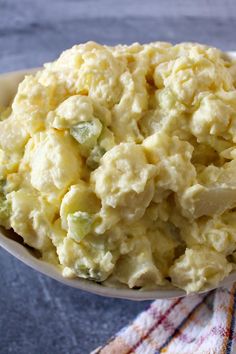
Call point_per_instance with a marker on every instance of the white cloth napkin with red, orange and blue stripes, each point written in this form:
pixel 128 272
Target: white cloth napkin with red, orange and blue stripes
pixel 196 324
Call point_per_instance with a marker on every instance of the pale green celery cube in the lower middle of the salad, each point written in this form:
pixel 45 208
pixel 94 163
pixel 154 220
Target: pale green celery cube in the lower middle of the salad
pixel 79 225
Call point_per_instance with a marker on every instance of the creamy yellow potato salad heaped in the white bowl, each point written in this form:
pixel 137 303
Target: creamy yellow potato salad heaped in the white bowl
pixel 118 164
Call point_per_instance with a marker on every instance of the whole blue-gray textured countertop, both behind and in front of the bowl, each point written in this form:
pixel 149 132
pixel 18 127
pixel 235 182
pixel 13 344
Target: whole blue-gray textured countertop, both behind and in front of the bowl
pixel 38 315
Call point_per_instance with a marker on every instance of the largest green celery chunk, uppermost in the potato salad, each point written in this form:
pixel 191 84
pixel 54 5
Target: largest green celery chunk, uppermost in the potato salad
pixel 87 133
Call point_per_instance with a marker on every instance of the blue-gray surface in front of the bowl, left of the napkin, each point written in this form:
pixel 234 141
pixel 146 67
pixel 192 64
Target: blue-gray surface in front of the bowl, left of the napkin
pixel 41 316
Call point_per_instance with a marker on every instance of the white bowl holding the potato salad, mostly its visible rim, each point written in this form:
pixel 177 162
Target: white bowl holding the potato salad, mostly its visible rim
pixel 8 86
